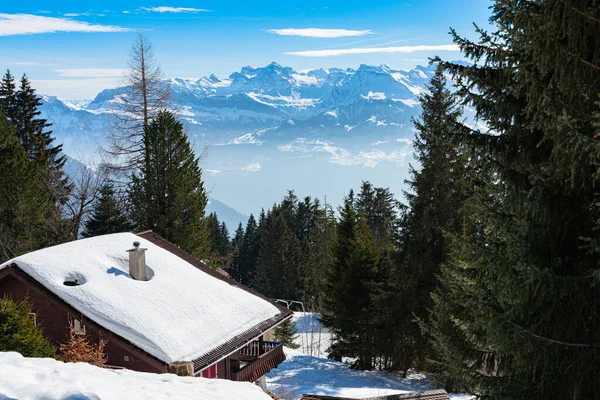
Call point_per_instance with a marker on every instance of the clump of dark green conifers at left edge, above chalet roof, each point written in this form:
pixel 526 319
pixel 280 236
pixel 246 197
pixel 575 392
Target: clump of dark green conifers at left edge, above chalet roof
pixel 42 168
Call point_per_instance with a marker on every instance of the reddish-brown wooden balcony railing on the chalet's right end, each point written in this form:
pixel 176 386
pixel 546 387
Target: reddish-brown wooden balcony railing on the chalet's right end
pixel 271 357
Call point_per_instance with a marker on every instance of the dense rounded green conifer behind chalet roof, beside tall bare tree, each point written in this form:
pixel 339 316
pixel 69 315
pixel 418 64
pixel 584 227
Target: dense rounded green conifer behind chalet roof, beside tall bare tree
pixel 167 195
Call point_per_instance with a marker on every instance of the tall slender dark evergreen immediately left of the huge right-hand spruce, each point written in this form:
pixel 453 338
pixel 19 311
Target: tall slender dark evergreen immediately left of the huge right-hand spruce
pixel 436 197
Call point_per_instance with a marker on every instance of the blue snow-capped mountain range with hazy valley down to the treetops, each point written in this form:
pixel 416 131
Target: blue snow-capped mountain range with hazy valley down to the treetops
pixel 264 122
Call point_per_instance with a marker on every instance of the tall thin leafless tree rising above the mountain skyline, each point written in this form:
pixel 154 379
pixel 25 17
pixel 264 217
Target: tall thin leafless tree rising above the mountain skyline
pixel 144 92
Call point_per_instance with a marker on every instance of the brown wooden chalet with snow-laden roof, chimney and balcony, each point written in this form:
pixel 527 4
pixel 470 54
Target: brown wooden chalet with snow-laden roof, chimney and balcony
pixel 159 309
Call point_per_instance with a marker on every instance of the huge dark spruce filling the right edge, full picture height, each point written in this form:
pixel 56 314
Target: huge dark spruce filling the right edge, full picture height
pixel 516 315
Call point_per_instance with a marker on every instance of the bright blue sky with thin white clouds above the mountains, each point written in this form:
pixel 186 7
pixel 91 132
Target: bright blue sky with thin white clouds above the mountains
pixel 73 50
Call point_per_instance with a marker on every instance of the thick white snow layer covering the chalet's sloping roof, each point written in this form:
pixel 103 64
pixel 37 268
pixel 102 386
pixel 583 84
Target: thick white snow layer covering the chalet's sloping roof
pixel 180 314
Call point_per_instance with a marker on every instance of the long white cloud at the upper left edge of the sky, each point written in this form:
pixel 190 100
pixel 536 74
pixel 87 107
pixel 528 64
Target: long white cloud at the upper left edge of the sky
pixel 29 24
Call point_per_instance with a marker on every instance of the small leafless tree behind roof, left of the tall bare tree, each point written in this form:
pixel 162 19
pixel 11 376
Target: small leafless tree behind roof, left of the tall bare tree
pixel 86 190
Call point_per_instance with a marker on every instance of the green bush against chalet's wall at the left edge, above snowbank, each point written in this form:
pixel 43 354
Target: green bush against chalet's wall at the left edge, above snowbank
pixel 18 332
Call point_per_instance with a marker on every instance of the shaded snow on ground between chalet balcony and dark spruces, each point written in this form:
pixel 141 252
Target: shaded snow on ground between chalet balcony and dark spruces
pixel 308 371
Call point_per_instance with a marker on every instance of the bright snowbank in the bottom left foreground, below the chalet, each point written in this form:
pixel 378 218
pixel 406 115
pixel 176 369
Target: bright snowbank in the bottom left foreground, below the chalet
pixel 44 378
